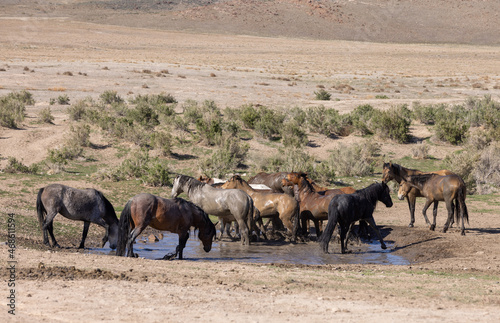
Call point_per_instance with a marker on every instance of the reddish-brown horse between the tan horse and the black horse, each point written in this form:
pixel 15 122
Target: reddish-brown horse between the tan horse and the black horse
pixel 313 205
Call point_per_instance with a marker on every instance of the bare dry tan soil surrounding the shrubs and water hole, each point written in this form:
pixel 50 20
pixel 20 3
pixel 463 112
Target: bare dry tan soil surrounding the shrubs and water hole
pixel 451 278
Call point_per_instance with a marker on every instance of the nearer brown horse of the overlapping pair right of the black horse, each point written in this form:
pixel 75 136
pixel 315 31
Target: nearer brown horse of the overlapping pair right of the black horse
pixel 449 188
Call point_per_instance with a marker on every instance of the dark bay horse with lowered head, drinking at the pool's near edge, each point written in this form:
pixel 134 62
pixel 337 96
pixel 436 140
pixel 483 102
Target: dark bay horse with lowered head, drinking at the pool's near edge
pixel 174 215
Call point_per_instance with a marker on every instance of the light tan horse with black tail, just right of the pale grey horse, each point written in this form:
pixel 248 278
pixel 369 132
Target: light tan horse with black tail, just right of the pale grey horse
pixel 270 205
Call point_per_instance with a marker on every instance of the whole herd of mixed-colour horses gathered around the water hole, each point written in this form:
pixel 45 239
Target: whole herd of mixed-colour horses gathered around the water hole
pixel 290 200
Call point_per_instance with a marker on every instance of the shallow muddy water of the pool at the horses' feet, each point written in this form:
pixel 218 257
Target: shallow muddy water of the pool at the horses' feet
pixel 266 252
